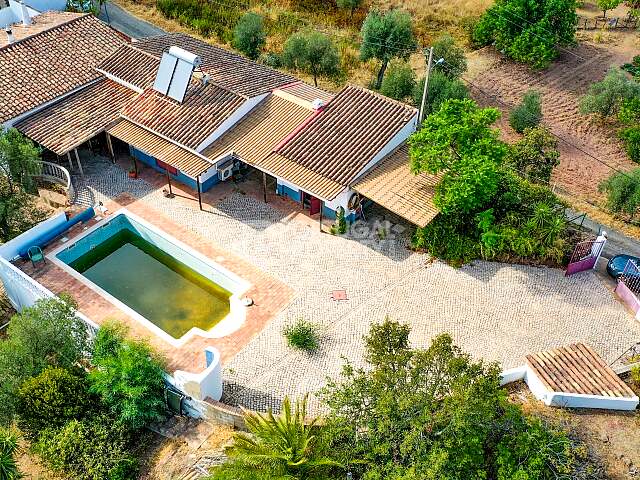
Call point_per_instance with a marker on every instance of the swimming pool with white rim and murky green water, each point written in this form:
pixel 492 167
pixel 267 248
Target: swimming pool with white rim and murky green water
pixel 172 289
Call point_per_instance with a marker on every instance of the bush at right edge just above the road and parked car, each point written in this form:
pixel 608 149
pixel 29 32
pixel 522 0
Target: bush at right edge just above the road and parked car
pixel 623 193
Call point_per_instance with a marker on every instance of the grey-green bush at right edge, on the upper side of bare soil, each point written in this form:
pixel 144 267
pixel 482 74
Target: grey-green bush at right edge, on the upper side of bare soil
pixel 607 97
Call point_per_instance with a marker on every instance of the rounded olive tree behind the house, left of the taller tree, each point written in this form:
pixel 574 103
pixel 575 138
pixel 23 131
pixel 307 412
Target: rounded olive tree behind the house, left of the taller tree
pixel 311 52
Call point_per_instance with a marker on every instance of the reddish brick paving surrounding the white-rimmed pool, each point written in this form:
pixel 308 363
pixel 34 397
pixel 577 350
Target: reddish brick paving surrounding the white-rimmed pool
pixel 269 295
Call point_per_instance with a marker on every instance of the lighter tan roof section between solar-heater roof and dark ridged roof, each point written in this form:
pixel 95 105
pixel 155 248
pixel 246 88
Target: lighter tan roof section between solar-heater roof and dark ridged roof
pixel 261 130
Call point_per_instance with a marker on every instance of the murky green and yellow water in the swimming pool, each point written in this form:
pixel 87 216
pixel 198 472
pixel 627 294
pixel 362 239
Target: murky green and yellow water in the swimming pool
pixel 153 283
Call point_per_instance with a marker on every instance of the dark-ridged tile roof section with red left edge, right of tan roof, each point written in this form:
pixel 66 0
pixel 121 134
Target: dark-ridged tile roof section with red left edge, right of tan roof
pixel 347 134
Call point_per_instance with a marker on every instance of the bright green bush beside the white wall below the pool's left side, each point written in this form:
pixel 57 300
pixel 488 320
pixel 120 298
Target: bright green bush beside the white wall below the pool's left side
pixel 128 377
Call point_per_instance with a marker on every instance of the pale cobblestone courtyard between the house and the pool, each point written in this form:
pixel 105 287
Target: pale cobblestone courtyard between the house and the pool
pixel 495 311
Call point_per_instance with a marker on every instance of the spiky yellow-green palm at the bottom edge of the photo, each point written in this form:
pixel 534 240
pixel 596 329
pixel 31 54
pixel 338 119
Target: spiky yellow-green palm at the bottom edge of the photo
pixel 277 447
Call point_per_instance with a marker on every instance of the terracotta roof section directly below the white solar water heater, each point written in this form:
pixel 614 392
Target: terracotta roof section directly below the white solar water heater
pixel 204 108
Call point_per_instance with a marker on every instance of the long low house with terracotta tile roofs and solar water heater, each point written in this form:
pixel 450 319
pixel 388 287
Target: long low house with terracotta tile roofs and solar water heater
pixel 197 113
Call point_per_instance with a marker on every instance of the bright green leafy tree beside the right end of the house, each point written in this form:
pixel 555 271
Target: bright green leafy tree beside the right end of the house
pixel 459 143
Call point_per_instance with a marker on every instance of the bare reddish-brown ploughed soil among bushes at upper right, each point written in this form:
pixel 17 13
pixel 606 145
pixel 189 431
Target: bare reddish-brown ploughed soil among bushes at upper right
pixel 561 86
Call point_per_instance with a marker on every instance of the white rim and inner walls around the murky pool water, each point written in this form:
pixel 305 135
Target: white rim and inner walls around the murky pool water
pixel 231 323
